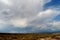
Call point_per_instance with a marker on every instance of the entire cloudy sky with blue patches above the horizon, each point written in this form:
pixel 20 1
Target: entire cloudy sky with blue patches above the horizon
pixel 29 16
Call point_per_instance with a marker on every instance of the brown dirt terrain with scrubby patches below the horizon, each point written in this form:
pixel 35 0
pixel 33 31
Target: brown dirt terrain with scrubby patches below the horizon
pixel 14 36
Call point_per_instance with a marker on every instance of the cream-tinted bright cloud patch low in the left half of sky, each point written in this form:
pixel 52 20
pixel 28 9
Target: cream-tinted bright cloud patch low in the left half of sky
pixel 19 22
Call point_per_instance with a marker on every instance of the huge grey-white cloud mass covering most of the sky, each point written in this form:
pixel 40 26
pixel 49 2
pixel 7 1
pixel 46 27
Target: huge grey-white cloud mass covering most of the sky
pixel 28 13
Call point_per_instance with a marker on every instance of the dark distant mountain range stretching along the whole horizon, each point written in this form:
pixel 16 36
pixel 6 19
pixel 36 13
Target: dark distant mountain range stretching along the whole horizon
pixel 37 32
